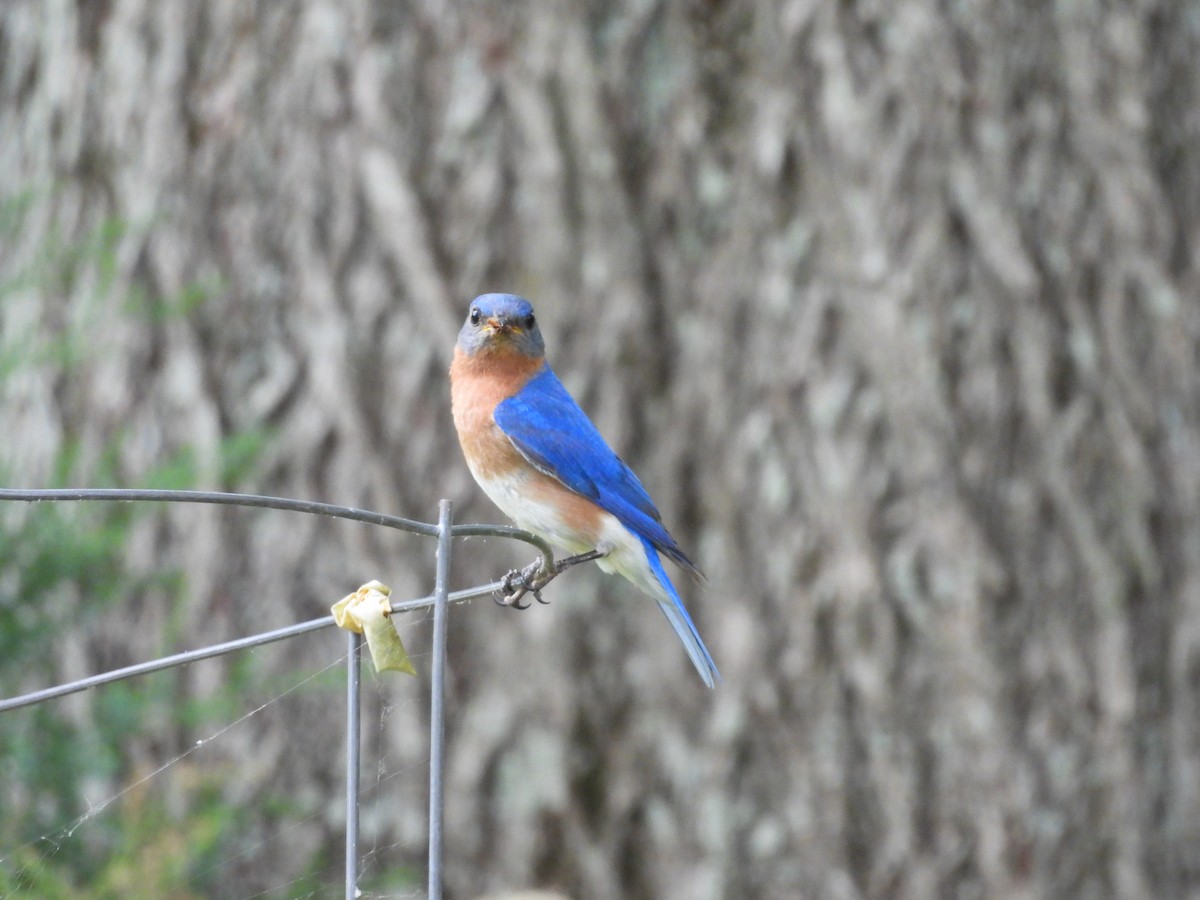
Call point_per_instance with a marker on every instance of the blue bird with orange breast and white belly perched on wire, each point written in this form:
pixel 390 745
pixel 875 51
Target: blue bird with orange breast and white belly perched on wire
pixel 539 458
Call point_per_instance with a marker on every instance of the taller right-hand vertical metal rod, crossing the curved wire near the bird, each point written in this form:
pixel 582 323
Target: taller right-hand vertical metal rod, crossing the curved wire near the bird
pixel 437 701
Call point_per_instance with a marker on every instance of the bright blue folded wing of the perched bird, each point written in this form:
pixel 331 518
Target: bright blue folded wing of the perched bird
pixel 550 430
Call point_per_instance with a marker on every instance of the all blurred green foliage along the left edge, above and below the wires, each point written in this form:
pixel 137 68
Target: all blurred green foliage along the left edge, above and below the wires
pixel 62 569
